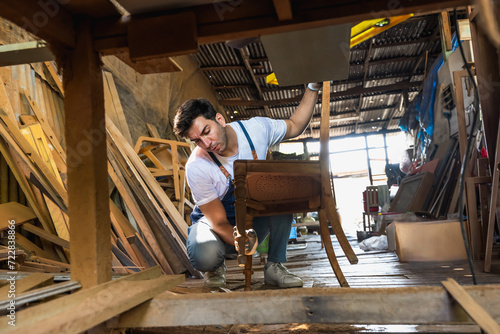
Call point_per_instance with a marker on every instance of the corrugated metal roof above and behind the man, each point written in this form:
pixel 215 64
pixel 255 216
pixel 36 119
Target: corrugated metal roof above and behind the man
pixel 393 60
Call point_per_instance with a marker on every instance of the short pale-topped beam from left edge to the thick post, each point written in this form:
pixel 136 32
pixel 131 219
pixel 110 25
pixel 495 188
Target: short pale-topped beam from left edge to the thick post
pixel 25 53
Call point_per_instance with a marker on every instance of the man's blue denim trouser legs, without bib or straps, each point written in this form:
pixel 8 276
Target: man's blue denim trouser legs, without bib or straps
pixel 207 251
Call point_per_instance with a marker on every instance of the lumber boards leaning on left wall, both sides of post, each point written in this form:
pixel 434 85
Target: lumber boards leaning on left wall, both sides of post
pixel 147 229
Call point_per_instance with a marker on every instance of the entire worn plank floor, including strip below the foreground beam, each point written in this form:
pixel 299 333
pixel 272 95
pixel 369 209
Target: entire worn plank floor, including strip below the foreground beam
pixel 376 269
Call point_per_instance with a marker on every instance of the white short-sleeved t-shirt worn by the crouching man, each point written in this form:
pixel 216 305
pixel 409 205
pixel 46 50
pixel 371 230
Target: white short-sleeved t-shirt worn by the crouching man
pixel 204 177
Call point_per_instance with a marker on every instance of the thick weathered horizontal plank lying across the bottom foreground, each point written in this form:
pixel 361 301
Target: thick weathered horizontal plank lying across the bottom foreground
pixel 313 305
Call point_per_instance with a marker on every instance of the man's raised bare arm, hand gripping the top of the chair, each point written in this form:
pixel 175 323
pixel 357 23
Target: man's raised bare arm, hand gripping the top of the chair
pixel 302 115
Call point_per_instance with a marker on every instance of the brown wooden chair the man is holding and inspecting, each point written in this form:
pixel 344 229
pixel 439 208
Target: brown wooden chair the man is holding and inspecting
pixel 265 188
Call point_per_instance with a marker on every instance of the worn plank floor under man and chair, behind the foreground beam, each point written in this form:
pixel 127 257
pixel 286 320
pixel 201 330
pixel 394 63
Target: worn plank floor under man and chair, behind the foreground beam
pixel 375 269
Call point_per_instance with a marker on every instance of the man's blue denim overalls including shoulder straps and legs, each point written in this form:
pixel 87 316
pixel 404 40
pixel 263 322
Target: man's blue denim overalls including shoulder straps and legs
pixel 207 250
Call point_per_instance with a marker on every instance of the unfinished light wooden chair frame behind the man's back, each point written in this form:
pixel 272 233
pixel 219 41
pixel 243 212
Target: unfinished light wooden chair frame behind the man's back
pixel 168 166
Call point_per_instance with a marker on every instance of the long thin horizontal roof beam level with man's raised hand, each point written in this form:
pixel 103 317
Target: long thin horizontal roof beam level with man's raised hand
pixel 397 87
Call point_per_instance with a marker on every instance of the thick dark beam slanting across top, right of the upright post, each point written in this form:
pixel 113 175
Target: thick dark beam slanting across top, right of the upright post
pixel 247 19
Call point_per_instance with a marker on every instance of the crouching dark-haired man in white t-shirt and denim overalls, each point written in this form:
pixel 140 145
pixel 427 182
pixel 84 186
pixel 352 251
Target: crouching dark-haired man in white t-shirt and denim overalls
pixel 209 173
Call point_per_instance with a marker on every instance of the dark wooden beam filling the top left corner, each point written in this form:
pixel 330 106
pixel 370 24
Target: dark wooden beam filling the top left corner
pixel 45 19
